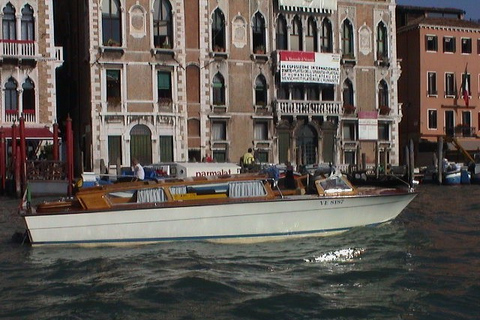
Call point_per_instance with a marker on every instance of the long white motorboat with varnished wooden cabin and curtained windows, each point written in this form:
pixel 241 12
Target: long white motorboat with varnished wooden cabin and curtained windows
pixel 233 208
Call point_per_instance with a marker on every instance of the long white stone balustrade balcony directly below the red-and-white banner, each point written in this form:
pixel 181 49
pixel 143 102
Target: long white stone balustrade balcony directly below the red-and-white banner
pixel 308 108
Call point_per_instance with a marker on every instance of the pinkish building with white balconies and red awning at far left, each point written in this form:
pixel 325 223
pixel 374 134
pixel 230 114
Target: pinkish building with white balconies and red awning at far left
pixel 28 62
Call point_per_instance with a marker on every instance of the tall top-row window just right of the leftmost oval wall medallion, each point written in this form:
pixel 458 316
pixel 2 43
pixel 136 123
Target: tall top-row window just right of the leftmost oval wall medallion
pixel 162 24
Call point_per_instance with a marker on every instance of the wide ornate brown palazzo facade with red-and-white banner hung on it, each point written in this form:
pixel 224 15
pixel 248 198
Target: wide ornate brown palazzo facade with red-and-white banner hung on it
pixel 295 80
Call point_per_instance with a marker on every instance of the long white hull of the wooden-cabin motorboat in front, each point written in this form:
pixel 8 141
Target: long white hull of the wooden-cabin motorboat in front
pixel 293 216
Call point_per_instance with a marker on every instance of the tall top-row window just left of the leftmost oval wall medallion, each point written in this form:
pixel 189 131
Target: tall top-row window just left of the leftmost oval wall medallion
pixel 111 23
